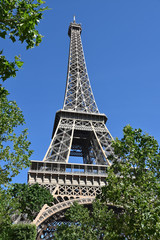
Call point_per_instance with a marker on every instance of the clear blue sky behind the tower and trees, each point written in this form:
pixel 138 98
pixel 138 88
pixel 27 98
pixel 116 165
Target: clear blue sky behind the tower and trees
pixel 121 40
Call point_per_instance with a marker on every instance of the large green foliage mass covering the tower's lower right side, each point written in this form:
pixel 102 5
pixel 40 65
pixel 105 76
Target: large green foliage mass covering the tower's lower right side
pixel 129 206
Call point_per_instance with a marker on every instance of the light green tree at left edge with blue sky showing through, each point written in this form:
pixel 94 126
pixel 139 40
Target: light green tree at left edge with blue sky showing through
pixel 14 146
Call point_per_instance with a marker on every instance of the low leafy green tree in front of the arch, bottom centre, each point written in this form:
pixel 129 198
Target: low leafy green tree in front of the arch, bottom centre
pixel 88 225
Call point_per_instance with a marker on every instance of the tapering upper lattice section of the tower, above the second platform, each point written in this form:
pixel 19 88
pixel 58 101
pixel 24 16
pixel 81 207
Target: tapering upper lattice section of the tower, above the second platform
pixel 78 95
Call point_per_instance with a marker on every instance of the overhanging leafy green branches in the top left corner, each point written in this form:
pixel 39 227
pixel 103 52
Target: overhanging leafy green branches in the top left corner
pixel 18 22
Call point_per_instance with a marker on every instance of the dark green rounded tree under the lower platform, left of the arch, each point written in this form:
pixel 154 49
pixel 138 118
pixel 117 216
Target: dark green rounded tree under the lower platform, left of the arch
pixel 30 199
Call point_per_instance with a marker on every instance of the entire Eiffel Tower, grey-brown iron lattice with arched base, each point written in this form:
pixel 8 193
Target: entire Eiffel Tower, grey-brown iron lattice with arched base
pixel 79 131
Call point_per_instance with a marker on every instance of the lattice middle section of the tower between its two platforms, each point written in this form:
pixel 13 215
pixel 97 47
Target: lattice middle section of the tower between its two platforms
pixel 77 137
